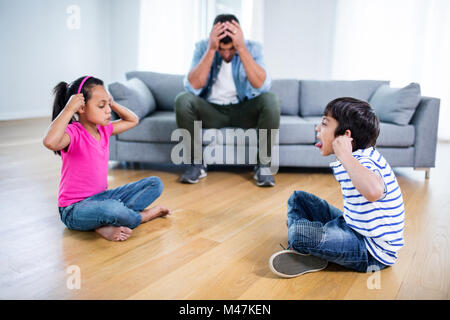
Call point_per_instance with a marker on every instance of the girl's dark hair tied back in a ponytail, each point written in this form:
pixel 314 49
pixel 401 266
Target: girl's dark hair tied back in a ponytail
pixel 63 91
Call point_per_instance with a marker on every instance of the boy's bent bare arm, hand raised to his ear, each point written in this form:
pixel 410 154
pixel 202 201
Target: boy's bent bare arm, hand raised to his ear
pixel 367 182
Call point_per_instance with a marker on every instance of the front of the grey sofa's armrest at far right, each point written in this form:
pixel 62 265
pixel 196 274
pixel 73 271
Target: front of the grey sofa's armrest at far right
pixel 425 121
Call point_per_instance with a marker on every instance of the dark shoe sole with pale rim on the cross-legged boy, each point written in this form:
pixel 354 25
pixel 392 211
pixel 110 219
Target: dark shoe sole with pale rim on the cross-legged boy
pixel 295 264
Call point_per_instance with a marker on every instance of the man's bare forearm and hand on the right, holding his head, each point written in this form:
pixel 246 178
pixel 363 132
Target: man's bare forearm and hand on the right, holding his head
pixel 256 75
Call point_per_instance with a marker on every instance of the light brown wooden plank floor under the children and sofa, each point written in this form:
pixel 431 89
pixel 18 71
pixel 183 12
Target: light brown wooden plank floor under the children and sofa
pixel 215 245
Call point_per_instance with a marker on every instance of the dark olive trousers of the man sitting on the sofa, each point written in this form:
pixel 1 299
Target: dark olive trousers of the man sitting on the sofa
pixel 262 112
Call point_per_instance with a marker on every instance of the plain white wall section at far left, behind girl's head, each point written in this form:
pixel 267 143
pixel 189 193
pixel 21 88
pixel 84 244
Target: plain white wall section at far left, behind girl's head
pixel 39 50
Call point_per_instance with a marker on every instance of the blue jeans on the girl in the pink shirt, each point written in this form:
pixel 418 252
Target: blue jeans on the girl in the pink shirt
pixel 117 207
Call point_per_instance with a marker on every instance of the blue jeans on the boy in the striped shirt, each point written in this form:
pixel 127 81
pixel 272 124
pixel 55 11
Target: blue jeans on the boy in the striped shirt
pixel 319 229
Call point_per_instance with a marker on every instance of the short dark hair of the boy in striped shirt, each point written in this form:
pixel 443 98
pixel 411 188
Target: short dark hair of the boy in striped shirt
pixel 358 117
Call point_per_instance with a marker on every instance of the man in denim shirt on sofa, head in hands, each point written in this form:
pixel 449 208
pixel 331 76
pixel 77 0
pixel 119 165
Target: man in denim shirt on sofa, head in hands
pixel 228 86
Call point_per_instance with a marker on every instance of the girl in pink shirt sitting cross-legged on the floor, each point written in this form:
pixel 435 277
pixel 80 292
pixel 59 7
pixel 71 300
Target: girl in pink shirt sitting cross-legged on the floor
pixel 83 144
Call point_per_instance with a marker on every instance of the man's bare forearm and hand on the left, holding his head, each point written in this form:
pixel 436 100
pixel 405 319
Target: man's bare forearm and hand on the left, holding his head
pixel 198 76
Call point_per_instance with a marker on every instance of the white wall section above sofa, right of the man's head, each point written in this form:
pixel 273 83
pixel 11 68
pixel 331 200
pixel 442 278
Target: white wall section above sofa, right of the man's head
pixel 298 38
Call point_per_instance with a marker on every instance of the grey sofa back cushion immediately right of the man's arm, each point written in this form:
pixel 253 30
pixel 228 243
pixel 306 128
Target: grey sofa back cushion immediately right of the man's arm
pixel 287 91
